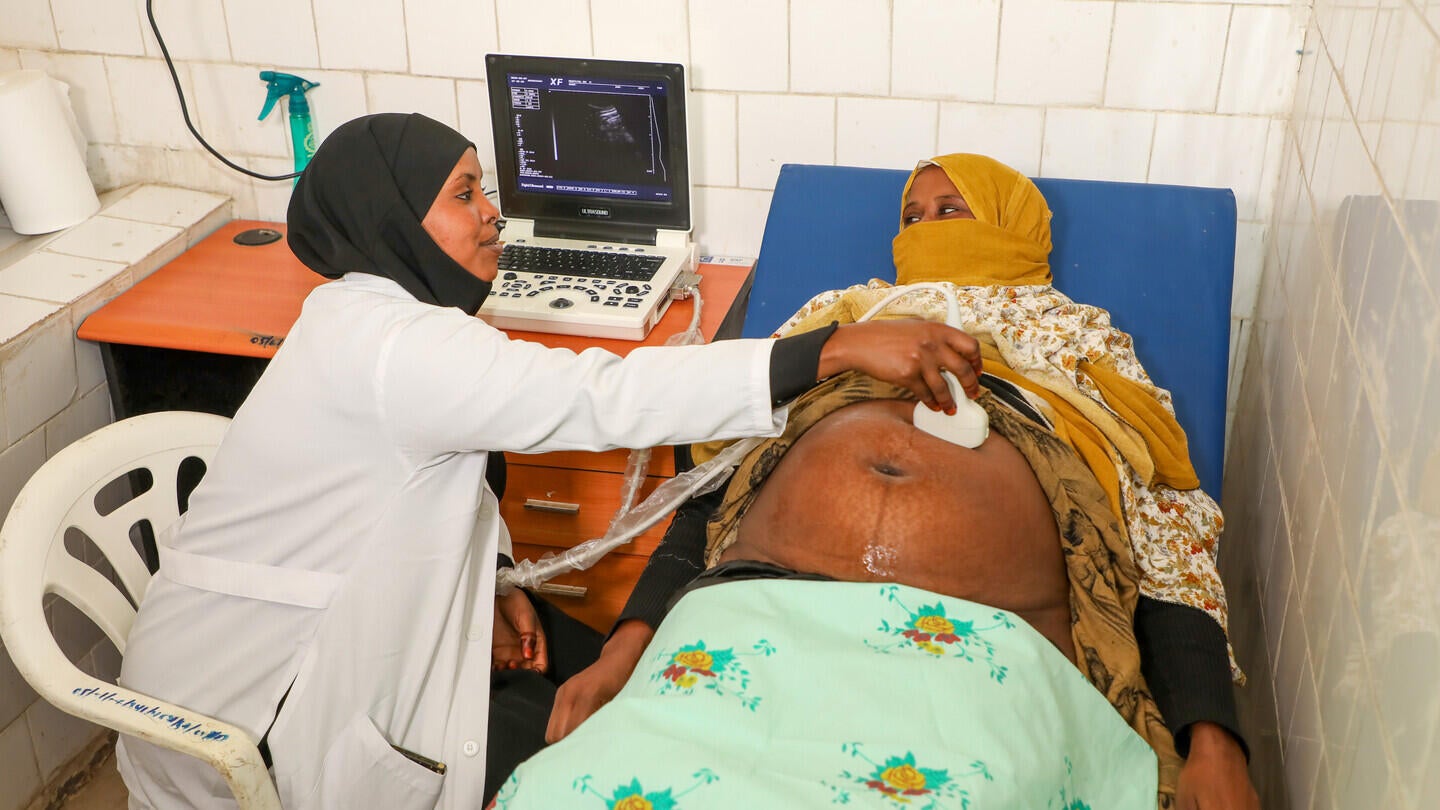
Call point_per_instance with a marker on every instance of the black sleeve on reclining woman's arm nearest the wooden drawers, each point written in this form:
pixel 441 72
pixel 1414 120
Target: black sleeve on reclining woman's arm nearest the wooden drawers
pixel 679 560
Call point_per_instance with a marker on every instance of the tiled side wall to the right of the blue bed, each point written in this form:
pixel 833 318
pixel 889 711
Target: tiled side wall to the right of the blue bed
pixel 1334 475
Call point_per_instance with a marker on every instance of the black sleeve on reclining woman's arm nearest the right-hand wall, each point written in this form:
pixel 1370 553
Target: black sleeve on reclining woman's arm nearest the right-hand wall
pixel 1187 665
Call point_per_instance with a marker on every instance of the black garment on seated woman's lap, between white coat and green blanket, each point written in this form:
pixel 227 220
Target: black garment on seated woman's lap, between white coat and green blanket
pixel 521 701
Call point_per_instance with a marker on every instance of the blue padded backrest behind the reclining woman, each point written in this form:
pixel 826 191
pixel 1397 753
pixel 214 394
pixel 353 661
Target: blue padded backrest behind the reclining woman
pixel 1160 259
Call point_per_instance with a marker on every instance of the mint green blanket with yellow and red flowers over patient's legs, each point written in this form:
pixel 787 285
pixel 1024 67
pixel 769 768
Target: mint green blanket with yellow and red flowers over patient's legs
pixel 794 694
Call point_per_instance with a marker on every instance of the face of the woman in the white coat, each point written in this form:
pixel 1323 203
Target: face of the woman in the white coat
pixel 463 220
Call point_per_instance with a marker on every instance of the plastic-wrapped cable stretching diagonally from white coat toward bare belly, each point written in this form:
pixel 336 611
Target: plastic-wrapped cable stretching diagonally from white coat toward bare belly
pixel 666 499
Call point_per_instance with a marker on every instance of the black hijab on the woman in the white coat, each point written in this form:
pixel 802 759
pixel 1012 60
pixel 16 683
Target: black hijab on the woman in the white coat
pixel 359 204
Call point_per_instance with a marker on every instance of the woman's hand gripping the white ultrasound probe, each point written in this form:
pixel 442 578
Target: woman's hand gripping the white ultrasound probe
pixel 909 354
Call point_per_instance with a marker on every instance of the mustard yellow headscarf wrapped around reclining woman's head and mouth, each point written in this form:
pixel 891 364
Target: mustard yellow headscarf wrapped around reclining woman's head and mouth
pixel 1007 243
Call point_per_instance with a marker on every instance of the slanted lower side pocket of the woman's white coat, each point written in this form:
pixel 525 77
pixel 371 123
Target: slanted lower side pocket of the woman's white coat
pixel 362 770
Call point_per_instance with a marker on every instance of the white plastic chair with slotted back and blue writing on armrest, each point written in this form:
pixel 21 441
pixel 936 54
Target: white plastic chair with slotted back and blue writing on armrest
pixel 35 563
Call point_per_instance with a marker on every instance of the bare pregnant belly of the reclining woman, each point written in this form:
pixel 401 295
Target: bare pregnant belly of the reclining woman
pixel 865 497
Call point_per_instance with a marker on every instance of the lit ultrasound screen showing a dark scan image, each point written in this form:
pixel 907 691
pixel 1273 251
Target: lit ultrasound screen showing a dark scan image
pixel 593 138
